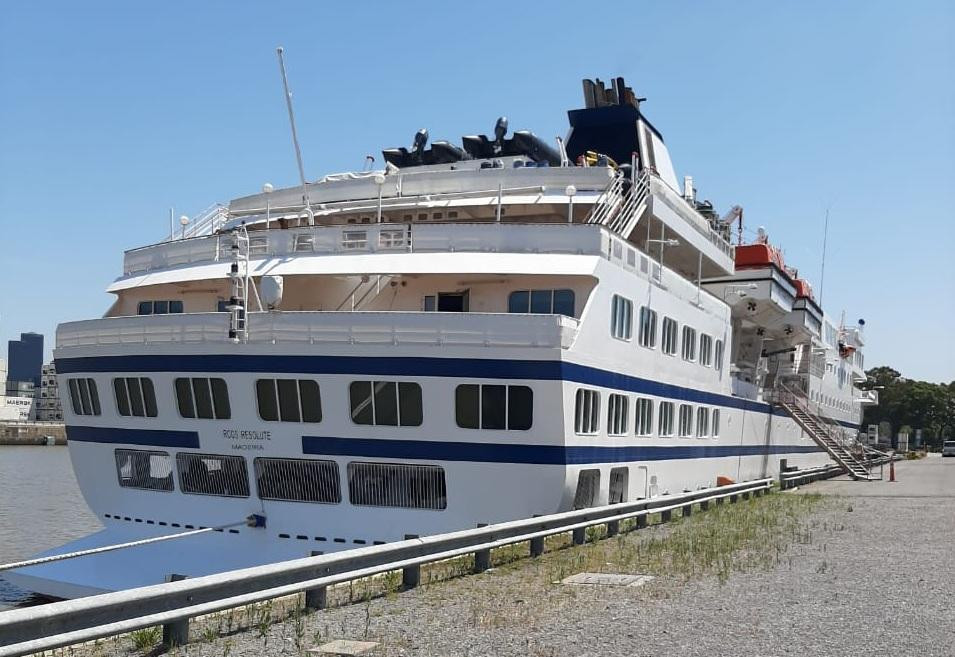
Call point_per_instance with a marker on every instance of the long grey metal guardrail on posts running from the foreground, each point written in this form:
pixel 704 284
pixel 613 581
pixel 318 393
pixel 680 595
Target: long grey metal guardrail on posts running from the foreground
pixel 59 624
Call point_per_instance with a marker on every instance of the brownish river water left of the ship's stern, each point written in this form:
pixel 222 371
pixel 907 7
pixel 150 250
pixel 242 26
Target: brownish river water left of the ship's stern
pixel 40 507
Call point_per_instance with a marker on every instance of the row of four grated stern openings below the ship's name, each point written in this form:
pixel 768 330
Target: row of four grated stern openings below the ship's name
pixel 290 480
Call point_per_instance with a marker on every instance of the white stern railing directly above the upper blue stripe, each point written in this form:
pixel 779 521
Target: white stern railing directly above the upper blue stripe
pixel 321 327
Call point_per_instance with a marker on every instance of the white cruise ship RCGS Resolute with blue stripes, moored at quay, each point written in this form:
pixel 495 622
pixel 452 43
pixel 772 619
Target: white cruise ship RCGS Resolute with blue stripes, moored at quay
pixel 471 334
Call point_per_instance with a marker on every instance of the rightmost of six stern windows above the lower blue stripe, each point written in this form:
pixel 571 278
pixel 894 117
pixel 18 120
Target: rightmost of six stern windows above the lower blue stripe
pixel 494 407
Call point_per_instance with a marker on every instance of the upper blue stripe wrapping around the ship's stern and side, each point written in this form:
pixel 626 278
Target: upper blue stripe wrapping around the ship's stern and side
pixel 460 368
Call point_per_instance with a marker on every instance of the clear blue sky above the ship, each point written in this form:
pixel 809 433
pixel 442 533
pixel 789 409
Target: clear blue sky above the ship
pixel 110 113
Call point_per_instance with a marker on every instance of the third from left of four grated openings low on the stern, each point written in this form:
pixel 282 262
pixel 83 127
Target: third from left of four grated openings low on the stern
pixel 298 480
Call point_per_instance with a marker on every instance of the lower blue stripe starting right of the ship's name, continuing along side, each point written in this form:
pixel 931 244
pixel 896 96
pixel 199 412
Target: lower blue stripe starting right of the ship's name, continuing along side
pixel 425 450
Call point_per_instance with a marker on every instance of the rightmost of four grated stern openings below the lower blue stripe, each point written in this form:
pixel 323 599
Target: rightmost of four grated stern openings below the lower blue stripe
pixel 397 485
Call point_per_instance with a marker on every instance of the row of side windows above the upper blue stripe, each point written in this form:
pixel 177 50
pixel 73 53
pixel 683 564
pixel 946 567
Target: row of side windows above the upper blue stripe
pixel 695 349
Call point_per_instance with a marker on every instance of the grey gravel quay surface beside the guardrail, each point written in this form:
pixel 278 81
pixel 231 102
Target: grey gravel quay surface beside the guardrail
pixel 865 576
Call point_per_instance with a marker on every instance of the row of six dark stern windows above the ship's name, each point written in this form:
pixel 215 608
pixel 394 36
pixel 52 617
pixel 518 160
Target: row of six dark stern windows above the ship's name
pixel 377 403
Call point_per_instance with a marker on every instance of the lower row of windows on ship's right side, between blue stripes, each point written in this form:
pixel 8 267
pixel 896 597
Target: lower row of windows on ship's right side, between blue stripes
pixel 691 420
